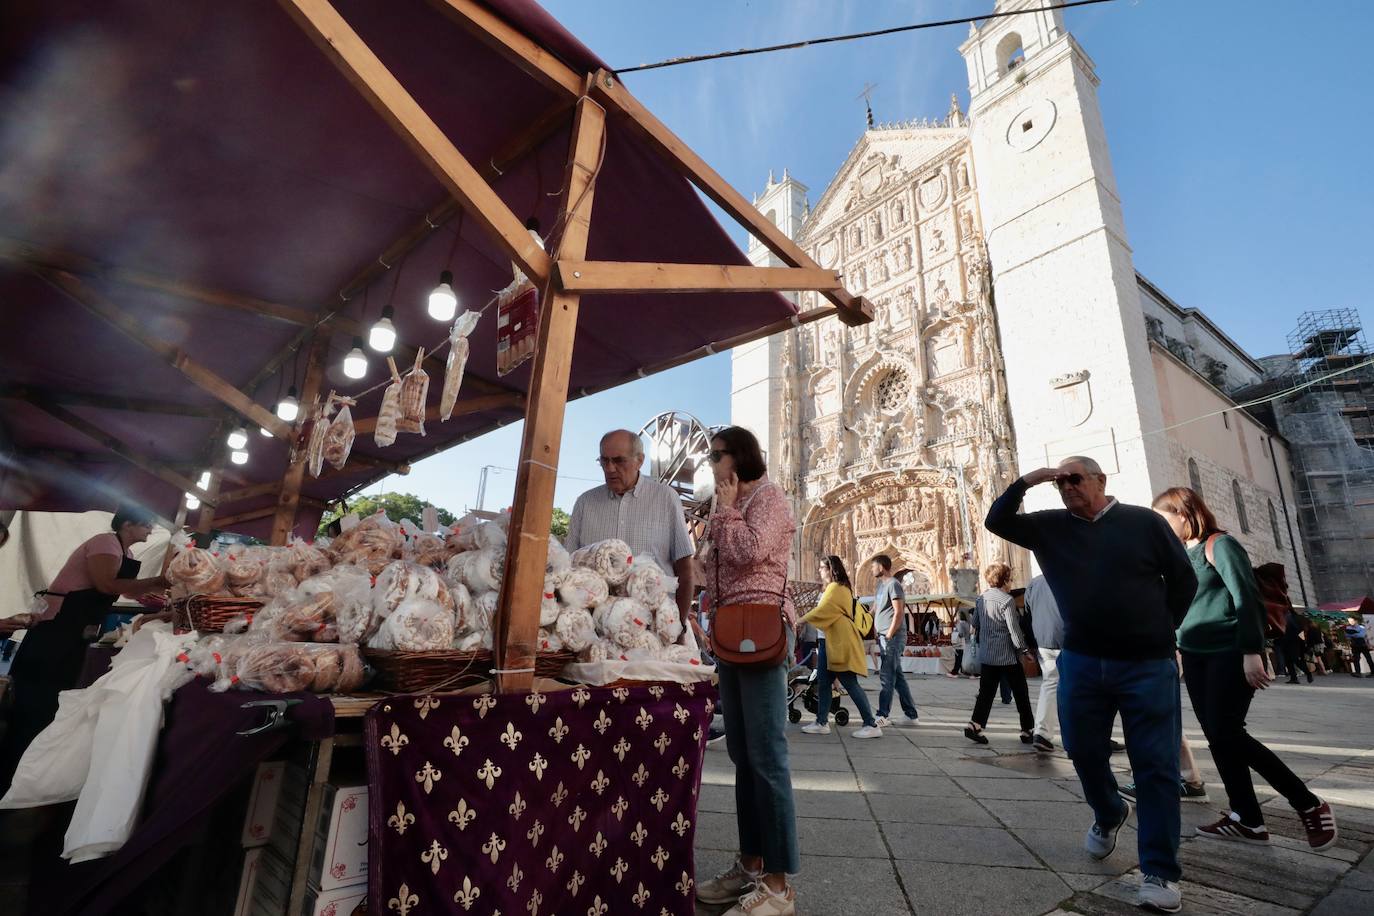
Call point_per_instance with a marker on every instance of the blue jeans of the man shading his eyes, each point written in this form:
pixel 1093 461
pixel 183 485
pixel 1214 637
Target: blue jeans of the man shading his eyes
pixel 1147 694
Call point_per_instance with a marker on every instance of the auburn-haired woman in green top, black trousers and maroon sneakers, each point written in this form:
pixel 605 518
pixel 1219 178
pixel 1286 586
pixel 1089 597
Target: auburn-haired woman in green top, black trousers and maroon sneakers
pixel 1222 652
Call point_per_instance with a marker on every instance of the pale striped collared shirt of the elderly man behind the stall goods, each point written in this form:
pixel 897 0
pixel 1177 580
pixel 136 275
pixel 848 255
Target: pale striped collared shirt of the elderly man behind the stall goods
pixel 649 517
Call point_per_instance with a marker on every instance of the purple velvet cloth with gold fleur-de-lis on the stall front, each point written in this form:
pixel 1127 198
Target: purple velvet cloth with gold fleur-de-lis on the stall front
pixel 583 801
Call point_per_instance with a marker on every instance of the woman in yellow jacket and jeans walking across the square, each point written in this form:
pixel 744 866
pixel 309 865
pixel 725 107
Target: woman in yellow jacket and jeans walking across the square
pixel 840 650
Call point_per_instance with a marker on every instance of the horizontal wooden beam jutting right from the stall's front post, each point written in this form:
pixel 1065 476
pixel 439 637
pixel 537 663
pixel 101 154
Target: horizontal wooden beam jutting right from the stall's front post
pixel 611 277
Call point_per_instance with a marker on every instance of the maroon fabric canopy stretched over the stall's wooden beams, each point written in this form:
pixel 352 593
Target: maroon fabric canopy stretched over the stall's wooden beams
pixel 214 145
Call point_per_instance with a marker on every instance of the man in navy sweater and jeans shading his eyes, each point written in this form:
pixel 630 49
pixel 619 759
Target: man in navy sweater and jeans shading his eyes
pixel 1123 584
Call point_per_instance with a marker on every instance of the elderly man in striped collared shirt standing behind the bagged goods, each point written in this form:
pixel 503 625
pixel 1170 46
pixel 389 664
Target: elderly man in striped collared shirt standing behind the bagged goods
pixel 638 510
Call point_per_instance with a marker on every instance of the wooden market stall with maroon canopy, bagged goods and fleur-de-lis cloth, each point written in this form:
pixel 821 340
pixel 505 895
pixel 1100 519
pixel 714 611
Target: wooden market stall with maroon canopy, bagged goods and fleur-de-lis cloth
pixel 264 256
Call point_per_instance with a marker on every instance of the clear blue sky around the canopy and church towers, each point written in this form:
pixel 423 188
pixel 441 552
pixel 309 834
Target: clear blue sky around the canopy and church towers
pixel 1237 139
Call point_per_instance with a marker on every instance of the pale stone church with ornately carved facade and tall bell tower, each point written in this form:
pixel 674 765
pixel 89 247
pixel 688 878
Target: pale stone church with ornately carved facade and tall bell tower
pixel 1011 326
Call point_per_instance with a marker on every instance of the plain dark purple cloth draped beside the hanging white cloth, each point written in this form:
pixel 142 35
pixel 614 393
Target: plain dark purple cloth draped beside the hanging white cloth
pixel 200 759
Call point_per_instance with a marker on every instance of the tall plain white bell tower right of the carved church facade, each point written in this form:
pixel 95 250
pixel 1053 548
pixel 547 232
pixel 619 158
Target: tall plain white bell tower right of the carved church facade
pixel 1078 362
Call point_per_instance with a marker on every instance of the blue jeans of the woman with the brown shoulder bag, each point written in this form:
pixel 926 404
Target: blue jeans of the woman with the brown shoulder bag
pixel 755 705
